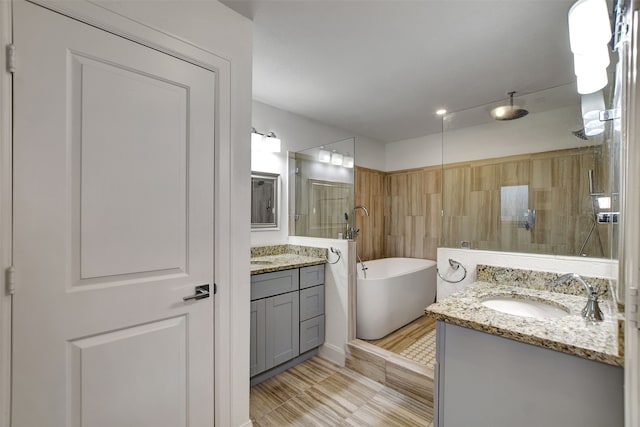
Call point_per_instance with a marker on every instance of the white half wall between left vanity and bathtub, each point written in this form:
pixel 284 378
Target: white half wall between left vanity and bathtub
pixel 336 299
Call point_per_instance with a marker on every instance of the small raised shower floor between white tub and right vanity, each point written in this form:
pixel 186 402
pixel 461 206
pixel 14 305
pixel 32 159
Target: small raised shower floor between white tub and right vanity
pixel 415 341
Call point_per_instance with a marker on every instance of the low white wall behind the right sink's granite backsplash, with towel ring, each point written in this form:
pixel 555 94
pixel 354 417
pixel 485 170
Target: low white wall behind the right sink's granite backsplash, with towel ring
pixel 470 258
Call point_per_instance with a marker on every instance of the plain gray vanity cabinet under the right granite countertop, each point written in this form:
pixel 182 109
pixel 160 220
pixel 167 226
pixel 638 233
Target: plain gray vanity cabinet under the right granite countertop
pixel 484 380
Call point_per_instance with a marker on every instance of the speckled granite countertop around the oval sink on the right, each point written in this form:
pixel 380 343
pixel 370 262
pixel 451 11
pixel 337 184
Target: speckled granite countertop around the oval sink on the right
pixel 570 334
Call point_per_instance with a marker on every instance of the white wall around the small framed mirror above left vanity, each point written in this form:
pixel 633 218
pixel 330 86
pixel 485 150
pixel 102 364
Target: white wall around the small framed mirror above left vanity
pixel 299 133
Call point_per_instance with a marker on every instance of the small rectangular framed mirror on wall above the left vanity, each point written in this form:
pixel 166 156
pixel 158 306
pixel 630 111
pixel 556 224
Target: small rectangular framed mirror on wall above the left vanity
pixel 264 200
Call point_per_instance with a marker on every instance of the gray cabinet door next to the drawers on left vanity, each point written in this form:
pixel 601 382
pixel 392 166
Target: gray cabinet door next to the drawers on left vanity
pixel 282 328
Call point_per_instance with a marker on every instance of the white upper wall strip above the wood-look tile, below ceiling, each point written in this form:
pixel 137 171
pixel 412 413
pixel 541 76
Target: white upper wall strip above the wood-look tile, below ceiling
pixel 546 131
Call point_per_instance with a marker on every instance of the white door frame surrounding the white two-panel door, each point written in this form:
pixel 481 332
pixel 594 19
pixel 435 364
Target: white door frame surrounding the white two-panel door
pixel 231 352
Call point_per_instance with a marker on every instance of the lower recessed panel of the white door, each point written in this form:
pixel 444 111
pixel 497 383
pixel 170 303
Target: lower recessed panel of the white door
pixel 155 352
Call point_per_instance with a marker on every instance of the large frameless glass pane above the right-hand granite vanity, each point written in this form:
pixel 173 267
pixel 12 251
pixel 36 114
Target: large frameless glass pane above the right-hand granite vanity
pixel 526 185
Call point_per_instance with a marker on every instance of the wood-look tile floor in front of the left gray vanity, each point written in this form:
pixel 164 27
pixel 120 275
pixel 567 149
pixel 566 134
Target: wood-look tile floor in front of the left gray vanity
pixel 319 393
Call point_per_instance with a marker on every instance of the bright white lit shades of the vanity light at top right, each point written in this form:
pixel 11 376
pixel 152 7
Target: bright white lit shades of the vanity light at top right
pixel 589 34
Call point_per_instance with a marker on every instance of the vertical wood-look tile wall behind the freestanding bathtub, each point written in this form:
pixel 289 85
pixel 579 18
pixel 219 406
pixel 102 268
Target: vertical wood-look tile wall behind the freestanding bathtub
pixel 558 190
